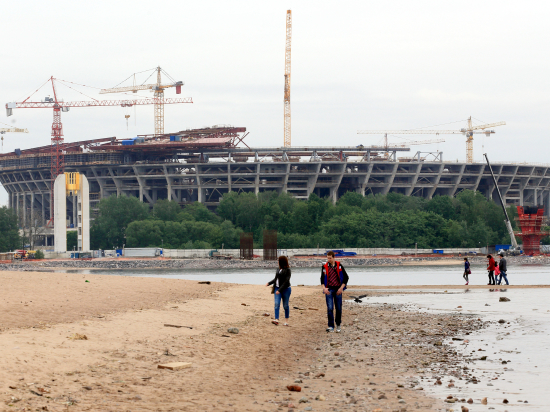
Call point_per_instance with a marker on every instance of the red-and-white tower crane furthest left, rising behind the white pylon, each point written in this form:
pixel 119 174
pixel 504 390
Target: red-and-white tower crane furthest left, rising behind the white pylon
pixel 58 105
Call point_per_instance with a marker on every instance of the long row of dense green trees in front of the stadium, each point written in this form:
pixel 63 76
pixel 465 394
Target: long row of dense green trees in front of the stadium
pixel 392 220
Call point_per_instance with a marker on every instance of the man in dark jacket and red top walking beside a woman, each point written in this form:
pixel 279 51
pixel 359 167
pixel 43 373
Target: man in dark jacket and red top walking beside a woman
pixel 334 280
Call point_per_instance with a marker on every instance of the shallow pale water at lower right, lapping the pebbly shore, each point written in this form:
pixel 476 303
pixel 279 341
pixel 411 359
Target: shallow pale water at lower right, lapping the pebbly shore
pixel 523 343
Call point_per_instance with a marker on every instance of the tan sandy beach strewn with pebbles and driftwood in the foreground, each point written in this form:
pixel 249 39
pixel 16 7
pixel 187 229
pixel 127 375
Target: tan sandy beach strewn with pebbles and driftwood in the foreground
pixel 46 364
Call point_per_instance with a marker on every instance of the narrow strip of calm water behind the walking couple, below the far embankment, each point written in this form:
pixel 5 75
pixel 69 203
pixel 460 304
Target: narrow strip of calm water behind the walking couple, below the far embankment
pixel 375 275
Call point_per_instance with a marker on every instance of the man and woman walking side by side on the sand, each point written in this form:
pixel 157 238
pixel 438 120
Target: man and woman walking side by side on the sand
pixel 334 280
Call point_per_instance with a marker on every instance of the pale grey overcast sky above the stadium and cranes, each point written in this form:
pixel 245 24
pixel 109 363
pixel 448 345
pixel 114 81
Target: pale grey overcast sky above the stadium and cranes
pixel 355 65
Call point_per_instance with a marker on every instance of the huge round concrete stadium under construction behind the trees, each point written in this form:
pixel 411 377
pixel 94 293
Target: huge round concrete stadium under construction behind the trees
pixel 204 164
